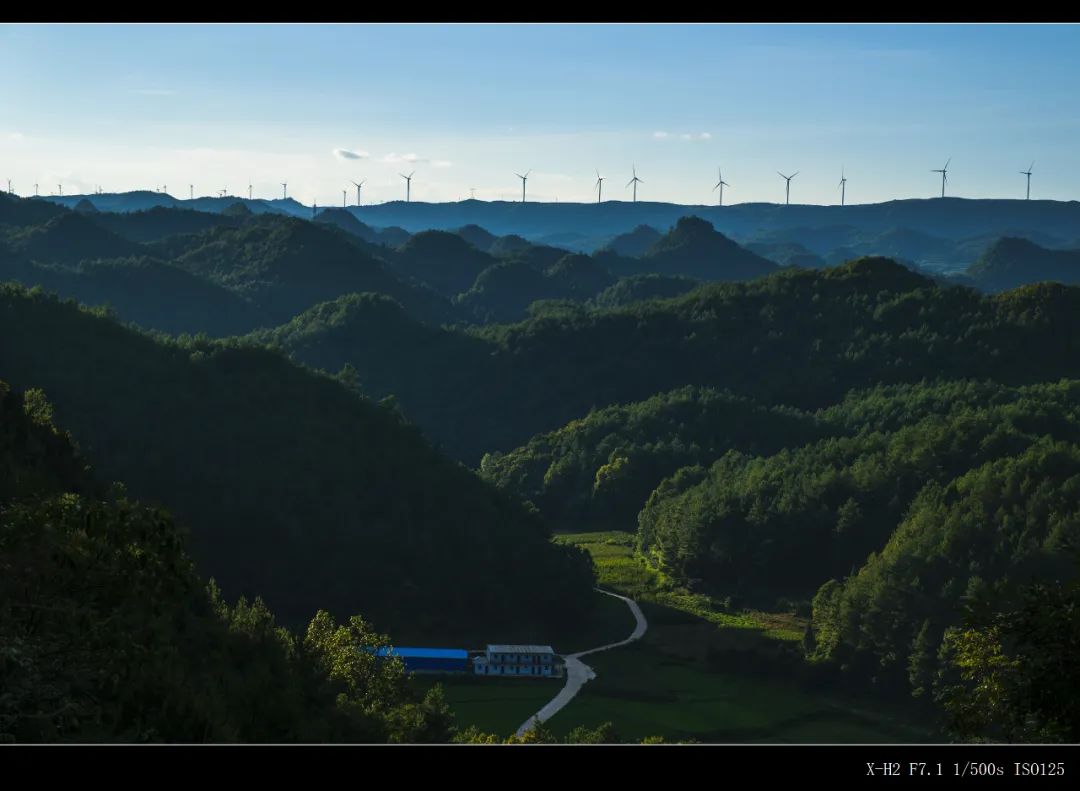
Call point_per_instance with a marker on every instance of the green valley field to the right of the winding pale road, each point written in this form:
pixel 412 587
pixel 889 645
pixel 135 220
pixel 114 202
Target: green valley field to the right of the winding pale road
pixel 679 682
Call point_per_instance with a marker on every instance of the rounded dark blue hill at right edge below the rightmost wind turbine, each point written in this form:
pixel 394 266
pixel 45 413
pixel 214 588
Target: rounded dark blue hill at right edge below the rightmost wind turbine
pixel 1009 263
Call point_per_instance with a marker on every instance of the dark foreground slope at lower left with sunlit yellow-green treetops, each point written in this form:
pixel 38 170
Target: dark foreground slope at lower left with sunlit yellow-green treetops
pixel 109 635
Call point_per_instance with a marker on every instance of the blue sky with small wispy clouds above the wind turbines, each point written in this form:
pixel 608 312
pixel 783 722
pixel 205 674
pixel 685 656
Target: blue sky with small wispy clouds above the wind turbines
pixel 467 106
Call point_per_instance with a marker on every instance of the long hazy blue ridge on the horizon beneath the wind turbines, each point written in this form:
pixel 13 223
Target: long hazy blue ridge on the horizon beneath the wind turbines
pixel 954 219
